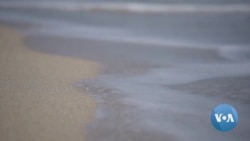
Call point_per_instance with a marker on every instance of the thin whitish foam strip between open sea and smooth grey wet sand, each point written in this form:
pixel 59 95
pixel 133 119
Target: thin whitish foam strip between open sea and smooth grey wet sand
pixel 237 53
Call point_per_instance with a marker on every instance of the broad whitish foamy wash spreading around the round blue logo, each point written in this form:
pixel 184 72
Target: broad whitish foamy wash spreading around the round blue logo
pixel 156 108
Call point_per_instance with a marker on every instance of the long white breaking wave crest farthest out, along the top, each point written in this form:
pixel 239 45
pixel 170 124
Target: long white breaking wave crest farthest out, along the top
pixel 129 7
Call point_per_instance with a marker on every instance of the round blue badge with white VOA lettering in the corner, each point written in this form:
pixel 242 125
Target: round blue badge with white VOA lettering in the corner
pixel 224 117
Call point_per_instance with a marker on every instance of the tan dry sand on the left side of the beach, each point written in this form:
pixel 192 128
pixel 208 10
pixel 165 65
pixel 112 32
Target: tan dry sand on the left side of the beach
pixel 37 99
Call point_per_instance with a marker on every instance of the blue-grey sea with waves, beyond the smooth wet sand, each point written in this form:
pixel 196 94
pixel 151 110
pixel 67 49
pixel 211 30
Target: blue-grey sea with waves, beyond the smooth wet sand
pixel 189 23
